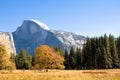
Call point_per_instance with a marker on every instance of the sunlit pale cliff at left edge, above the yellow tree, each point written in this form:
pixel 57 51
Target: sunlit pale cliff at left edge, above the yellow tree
pixel 6 39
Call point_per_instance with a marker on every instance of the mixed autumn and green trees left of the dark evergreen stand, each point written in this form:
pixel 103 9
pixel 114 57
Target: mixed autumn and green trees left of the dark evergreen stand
pixel 45 57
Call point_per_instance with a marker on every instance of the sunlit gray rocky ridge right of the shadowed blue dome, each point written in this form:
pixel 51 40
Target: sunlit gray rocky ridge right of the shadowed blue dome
pixel 70 39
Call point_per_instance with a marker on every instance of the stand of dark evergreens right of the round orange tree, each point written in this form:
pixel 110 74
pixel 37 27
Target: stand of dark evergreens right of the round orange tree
pixel 97 53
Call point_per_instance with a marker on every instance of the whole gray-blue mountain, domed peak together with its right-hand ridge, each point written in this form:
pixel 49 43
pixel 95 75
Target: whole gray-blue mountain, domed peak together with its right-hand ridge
pixel 33 33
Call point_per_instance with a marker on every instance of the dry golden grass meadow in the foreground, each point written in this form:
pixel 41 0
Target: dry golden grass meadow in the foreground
pixel 61 75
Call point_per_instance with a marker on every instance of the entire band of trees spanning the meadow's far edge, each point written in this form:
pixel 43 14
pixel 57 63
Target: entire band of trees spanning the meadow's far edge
pixel 97 53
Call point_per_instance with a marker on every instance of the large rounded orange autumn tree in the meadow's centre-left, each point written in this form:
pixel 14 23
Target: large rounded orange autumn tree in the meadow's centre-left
pixel 47 58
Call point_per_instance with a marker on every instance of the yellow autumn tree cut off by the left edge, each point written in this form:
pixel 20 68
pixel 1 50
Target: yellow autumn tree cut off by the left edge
pixel 5 62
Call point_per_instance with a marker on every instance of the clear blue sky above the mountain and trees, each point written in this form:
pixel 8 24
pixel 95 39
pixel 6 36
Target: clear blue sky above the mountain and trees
pixel 83 17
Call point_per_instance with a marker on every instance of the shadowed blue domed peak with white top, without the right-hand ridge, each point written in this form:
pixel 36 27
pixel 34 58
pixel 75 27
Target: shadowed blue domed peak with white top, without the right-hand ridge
pixel 31 34
